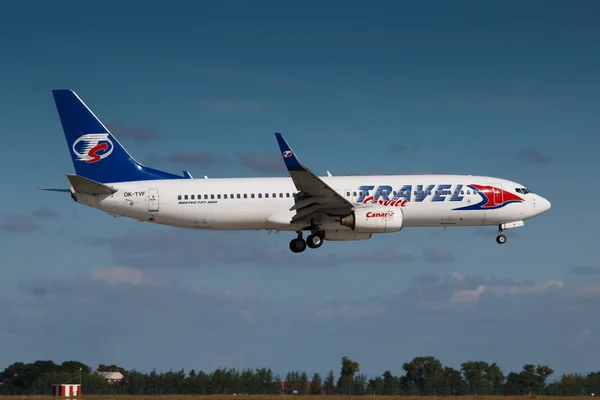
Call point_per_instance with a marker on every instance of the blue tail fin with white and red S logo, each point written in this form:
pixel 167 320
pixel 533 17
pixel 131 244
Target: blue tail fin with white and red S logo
pixel 96 153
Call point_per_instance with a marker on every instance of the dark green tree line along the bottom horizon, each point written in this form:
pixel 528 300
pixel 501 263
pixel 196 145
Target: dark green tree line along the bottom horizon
pixel 421 376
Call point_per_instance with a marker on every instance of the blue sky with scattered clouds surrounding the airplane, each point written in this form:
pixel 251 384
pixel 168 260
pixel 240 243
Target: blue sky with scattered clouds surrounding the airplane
pixel 507 90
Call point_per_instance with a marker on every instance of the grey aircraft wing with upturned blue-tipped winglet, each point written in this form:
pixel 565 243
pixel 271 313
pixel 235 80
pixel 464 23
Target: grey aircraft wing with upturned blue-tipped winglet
pixel 315 197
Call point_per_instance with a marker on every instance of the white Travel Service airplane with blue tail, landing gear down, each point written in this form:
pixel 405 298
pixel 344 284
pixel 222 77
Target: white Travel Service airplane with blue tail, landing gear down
pixel 328 208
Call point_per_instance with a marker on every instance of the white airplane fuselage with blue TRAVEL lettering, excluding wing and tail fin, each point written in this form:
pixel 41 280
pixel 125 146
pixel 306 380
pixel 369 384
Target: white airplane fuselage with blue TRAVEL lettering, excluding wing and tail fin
pixel 264 203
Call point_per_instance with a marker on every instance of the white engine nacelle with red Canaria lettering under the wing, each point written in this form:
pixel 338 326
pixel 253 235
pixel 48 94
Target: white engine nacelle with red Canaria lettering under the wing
pixel 374 219
